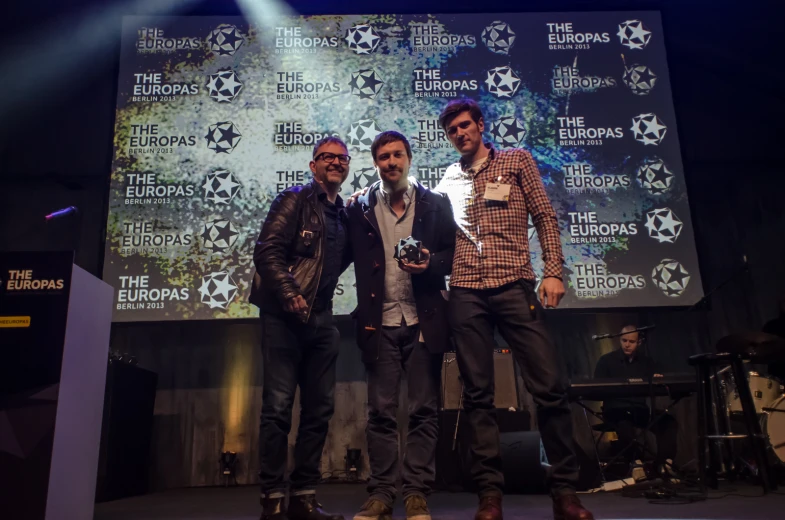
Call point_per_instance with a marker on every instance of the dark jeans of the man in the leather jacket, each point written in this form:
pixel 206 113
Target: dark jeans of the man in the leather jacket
pixel 305 355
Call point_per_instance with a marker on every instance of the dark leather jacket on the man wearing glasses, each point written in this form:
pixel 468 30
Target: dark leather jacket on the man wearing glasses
pixel 289 253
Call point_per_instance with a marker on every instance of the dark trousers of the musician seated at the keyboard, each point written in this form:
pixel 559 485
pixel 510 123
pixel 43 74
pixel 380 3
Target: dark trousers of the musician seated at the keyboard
pixel 629 421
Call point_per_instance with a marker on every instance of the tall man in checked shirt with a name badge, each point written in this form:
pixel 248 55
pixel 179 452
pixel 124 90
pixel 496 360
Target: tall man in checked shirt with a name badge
pixel 492 284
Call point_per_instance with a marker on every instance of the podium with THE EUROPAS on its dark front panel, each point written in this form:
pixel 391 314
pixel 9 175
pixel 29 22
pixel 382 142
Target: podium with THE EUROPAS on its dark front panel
pixel 55 320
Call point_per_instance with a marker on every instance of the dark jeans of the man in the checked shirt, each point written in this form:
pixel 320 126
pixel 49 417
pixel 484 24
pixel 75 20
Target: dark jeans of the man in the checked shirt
pixel 515 310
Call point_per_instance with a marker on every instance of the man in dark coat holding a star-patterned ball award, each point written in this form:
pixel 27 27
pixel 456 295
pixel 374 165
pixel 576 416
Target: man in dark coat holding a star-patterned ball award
pixel 402 237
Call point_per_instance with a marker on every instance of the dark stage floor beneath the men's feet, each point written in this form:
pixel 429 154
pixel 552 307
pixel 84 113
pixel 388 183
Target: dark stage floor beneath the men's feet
pixel 241 503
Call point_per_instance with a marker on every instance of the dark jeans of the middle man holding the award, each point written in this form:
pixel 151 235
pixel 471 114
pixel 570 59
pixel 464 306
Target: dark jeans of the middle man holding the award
pixel 400 351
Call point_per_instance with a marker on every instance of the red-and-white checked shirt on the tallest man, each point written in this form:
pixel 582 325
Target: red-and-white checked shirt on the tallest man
pixel 492 245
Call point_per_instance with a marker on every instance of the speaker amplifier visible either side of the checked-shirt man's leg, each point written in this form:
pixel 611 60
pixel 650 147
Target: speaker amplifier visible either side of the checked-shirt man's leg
pixel 506 391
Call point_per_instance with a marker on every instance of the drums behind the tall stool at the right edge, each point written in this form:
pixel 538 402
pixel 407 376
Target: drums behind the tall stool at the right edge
pixel 768 393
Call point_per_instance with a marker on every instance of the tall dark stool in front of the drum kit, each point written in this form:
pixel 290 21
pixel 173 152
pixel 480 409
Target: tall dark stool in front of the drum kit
pixel 704 365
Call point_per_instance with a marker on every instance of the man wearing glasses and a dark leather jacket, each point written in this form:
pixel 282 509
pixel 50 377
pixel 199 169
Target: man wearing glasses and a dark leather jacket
pixel 301 252
